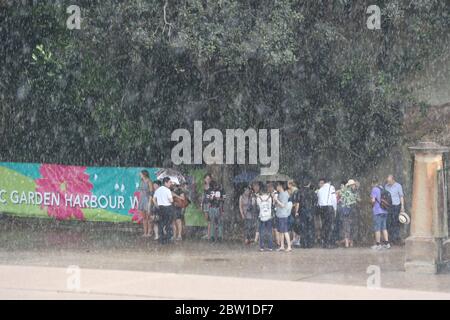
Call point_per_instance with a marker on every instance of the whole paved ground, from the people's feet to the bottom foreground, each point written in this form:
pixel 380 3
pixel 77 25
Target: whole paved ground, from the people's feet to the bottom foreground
pixel 137 258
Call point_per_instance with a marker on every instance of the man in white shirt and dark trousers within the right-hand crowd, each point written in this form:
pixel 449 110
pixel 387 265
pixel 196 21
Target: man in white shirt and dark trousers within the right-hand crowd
pixel 326 199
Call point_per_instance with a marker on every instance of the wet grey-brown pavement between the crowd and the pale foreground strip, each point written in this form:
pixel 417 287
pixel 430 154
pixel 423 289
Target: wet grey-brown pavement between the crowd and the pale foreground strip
pixel 126 250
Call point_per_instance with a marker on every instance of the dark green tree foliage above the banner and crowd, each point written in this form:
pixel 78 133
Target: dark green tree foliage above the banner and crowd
pixel 112 92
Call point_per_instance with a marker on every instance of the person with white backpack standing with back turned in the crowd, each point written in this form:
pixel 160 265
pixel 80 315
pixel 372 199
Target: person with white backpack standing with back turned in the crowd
pixel 264 203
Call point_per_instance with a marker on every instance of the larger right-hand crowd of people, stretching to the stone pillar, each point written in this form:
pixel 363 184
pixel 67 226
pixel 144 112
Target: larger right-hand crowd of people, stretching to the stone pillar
pixel 304 217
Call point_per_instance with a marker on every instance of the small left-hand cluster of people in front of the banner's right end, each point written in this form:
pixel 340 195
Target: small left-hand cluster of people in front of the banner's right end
pixel 161 205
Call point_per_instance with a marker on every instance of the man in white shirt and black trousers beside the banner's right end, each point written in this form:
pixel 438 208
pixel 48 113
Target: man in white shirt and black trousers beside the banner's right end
pixel 163 199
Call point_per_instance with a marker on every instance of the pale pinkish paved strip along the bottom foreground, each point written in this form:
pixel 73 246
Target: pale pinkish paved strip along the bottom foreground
pixel 19 282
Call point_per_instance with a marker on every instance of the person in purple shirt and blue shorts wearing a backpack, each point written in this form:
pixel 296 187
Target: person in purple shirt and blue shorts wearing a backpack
pixel 380 200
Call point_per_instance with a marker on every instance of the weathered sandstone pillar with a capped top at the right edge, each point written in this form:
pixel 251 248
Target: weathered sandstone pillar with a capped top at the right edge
pixel 424 246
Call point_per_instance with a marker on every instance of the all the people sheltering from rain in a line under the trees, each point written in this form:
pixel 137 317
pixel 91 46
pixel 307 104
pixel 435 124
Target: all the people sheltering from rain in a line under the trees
pixel 276 213
